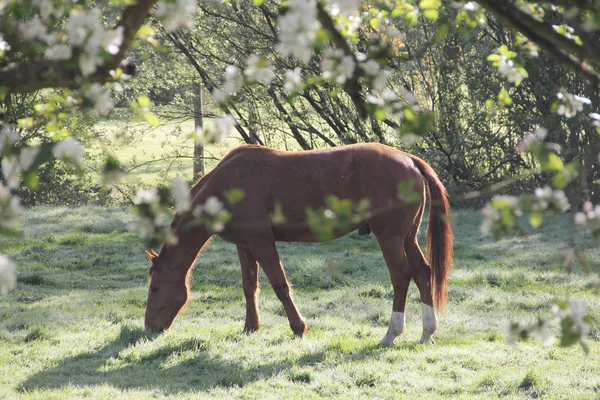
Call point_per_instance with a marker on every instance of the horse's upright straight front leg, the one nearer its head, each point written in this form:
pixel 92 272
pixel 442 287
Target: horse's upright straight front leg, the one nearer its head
pixel 250 284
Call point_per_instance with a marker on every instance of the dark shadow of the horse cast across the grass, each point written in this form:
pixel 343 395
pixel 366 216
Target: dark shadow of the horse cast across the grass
pixel 156 370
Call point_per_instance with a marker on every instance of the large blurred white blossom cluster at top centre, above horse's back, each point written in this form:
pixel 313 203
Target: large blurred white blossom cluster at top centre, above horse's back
pixel 297 29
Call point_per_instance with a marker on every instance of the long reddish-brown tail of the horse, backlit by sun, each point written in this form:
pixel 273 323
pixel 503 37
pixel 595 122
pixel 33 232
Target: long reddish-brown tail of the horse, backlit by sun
pixel 439 233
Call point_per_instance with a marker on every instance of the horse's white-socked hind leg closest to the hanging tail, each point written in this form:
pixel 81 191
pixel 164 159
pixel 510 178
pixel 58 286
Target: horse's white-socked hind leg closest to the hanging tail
pixel 422 276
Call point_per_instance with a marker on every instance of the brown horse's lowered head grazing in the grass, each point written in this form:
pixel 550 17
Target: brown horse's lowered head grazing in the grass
pixel 167 295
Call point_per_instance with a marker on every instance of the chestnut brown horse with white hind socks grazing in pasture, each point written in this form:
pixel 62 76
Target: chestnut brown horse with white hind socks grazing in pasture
pixel 301 180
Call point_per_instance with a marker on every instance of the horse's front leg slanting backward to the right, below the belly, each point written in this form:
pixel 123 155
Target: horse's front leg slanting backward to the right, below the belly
pixel 265 251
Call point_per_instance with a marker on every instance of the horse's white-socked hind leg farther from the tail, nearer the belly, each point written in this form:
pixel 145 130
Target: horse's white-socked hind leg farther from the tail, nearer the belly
pixel 400 274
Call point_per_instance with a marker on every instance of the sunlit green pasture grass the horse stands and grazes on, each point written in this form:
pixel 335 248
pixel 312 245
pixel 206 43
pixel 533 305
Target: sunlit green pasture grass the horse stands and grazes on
pixel 74 326
